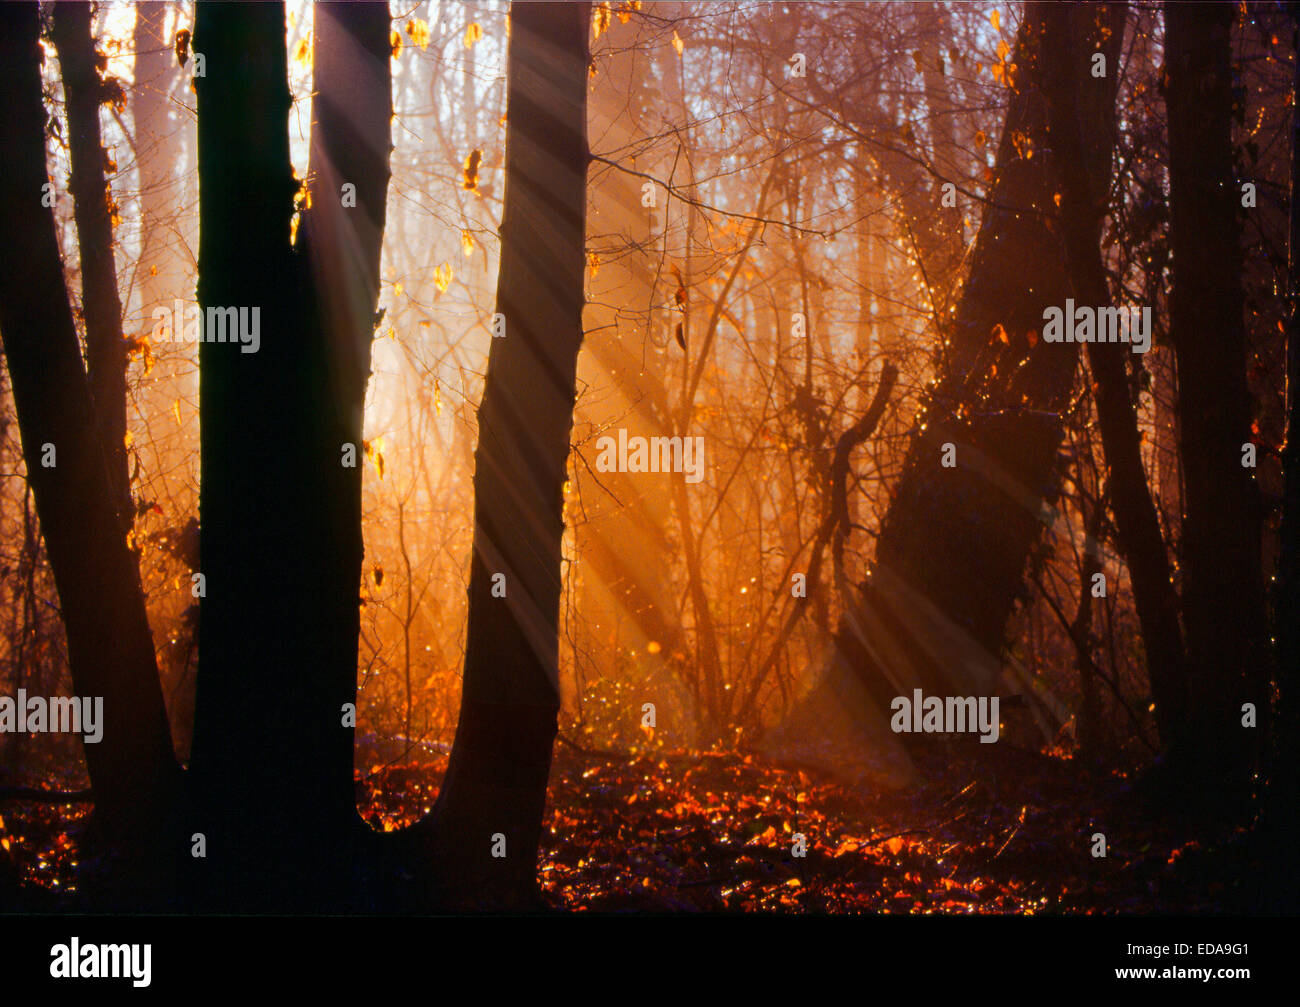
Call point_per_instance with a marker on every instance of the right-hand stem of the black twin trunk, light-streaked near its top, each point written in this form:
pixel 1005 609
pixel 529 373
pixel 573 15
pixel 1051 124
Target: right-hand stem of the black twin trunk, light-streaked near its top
pixel 340 249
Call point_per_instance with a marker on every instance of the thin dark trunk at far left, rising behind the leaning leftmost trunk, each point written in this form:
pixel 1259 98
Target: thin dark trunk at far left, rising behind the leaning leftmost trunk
pixel 102 309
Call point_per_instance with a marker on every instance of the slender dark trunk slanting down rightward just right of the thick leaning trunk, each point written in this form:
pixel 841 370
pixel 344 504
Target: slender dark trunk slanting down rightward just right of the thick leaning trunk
pixel 1084 206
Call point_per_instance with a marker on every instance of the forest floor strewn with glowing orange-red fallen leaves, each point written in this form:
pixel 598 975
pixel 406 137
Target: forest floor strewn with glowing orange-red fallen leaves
pixel 1002 832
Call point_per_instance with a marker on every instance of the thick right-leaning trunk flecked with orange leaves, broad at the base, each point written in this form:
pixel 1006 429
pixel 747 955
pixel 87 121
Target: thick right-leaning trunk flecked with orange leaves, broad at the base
pixel 954 546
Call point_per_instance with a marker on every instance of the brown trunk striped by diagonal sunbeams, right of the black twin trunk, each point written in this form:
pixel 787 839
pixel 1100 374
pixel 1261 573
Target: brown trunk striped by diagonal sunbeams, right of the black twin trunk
pixel 487 824
